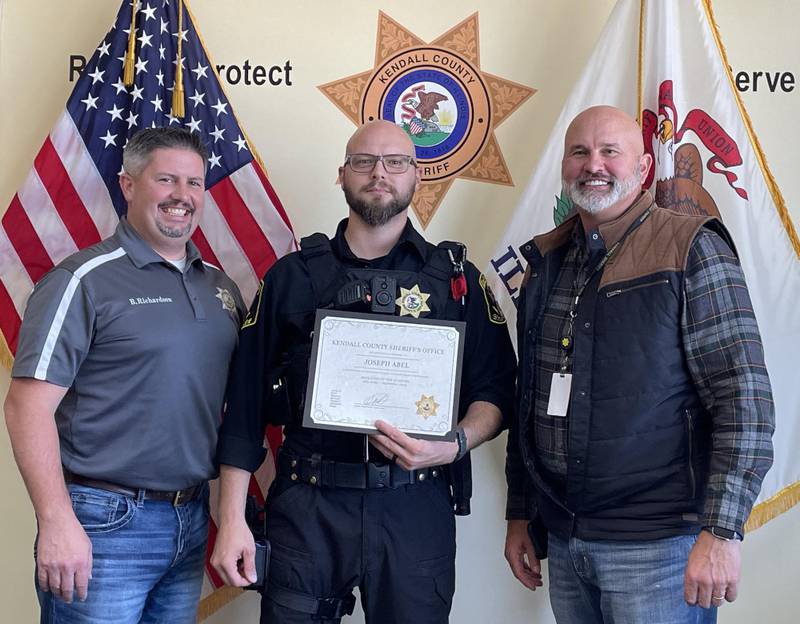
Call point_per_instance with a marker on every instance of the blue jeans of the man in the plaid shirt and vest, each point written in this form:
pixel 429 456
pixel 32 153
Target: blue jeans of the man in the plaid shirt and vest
pixel 622 582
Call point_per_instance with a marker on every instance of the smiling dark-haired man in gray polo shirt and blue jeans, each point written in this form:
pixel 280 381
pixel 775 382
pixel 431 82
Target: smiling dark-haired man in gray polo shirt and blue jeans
pixel 116 398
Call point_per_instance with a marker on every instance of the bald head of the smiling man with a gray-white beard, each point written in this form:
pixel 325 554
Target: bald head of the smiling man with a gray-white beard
pixel 604 162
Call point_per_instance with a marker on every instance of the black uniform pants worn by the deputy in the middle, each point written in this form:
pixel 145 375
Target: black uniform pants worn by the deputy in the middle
pixel 396 545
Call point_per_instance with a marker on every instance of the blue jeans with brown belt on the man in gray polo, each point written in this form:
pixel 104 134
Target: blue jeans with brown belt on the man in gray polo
pixel 147 560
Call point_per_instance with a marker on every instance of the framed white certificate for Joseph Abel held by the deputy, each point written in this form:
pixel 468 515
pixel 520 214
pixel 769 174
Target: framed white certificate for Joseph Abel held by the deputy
pixel 368 367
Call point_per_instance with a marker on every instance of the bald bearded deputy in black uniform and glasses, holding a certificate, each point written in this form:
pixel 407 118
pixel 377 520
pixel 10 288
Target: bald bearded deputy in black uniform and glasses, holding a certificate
pixel 343 513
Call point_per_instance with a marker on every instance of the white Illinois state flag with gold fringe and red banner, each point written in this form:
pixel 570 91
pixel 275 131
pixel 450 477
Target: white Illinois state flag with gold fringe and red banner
pixel 663 62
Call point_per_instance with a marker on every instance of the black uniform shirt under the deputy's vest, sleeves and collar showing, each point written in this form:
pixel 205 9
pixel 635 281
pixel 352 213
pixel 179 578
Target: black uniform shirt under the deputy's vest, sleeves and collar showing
pixel 281 320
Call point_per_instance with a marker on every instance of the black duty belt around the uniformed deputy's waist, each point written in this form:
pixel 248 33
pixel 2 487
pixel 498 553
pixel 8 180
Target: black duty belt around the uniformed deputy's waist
pixel 362 475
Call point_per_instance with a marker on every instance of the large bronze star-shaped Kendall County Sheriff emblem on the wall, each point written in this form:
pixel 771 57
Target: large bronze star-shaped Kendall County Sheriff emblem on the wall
pixel 437 92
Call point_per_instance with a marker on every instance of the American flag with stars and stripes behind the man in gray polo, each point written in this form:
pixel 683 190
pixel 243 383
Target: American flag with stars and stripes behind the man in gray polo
pixel 71 197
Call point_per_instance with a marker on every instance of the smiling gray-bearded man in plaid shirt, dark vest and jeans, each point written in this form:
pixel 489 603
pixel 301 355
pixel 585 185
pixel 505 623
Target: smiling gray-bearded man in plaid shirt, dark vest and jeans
pixel 645 410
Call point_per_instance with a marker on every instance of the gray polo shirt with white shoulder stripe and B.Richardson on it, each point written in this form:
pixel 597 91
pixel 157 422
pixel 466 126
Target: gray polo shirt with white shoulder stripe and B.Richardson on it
pixel 144 350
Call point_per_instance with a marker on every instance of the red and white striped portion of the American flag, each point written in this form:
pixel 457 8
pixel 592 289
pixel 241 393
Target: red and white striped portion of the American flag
pixel 64 205
